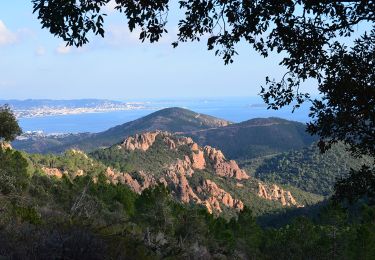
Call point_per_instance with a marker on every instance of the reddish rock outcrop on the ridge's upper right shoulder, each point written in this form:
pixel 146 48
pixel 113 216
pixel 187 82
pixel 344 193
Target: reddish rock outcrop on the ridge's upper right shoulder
pixel 223 167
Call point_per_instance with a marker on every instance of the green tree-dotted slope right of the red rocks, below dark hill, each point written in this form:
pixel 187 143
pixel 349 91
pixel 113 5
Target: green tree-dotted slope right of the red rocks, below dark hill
pixel 307 169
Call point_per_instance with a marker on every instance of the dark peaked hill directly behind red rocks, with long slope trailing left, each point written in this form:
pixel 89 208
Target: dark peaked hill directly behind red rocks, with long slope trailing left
pixel 170 119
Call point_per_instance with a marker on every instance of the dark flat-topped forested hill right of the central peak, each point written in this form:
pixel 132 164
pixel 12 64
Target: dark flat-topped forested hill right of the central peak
pixel 255 137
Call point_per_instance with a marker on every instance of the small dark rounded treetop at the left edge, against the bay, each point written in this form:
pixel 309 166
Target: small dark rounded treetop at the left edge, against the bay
pixel 9 128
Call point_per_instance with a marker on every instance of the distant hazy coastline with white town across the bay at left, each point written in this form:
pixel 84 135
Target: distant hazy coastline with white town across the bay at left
pixel 40 108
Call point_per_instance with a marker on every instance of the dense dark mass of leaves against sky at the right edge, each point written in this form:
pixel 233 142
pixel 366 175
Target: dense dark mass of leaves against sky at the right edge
pixel 346 111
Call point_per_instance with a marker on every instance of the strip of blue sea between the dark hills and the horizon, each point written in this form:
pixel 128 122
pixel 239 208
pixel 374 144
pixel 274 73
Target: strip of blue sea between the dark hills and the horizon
pixel 235 109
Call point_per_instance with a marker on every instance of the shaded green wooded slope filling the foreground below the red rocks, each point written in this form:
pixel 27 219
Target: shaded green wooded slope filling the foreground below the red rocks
pixel 53 216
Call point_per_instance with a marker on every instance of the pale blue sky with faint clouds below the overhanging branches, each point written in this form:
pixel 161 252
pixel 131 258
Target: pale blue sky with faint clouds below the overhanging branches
pixel 34 64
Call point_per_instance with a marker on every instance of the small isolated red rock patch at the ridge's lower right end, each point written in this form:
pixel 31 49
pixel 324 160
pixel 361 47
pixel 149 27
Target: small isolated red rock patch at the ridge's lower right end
pixel 276 193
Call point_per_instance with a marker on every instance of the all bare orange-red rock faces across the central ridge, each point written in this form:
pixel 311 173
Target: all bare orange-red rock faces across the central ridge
pixel 177 176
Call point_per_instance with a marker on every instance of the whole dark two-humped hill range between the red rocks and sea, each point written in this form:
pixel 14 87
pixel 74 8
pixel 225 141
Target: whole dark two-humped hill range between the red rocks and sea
pixel 248 139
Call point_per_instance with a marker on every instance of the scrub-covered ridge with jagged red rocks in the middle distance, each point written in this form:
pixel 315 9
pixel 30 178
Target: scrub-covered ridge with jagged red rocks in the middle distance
pixel 194 174
